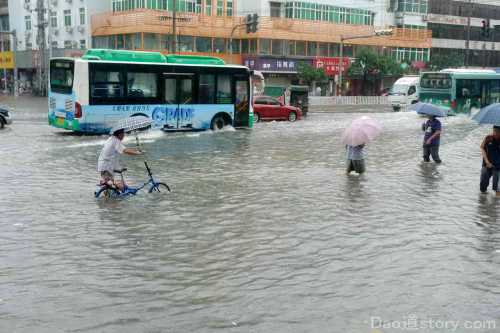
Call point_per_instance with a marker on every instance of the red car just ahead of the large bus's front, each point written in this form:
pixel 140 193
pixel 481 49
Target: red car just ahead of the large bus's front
pixel 269 108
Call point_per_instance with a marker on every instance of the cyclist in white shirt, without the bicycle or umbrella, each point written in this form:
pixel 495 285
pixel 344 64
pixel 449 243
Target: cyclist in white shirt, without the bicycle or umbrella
pixel 109 158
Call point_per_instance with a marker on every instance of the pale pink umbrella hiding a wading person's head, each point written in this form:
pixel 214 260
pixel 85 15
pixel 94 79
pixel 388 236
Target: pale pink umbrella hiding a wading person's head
pixel 361 131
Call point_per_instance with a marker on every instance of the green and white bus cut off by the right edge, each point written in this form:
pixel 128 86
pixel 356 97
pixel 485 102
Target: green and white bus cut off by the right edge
pixel 460 89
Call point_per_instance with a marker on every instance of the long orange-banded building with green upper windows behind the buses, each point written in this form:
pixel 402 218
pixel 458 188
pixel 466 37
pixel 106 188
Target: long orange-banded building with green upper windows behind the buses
pixel 290 32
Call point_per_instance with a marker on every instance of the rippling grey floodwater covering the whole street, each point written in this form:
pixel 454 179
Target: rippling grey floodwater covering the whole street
pixel 263 231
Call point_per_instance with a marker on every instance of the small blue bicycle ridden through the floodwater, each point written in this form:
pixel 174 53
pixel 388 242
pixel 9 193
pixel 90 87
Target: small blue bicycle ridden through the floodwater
pixel 111 191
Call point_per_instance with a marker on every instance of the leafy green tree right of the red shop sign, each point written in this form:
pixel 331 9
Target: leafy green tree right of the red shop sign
pixel 372 67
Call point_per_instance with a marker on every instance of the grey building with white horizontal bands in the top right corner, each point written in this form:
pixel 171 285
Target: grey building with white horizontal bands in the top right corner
pixel 449 22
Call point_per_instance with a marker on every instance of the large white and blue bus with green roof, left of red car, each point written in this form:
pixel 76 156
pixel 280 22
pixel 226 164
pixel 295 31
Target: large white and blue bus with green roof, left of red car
pixel 179 93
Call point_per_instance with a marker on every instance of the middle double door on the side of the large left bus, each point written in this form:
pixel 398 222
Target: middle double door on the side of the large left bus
pixel 178 95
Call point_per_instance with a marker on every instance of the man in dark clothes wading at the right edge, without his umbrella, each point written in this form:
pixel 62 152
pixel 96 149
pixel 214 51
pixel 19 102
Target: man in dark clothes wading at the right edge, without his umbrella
pixel 490 150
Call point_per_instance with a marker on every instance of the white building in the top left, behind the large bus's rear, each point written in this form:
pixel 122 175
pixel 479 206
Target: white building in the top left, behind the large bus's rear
pixel 67 33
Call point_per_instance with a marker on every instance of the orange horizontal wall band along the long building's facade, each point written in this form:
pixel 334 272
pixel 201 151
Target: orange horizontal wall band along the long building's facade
pixel 156 21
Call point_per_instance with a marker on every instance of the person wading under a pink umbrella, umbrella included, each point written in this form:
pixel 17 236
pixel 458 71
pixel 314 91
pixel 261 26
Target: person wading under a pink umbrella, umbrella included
pixel 361 131
